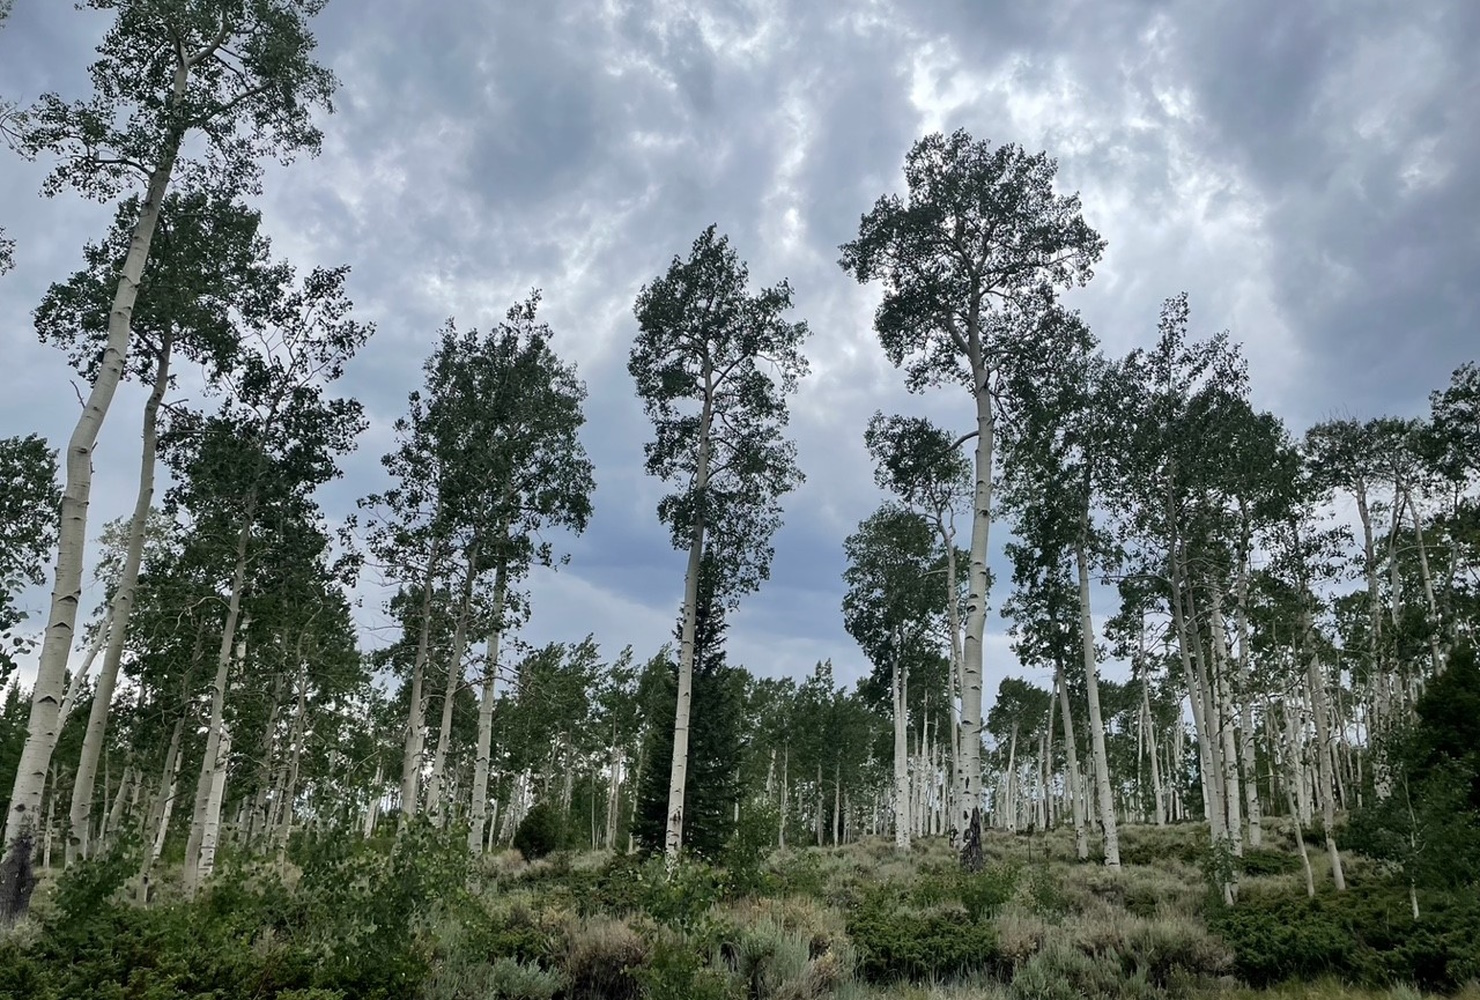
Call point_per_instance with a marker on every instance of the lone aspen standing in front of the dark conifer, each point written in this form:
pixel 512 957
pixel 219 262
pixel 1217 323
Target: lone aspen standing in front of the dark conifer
pixel 714 365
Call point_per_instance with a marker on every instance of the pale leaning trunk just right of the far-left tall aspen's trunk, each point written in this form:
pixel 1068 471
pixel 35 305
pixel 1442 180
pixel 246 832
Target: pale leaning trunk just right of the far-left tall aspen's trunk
pixel 119 613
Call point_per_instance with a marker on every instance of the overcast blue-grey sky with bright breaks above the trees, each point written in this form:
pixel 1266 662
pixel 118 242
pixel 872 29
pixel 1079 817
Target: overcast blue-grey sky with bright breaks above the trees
pixel 1306 171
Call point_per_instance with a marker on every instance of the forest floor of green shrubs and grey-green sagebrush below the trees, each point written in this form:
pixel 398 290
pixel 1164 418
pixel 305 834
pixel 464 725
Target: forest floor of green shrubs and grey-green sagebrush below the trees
pixel 346 919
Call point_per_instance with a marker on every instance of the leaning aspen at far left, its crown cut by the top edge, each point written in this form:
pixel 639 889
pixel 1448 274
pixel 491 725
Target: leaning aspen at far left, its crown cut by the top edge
pixel 238 75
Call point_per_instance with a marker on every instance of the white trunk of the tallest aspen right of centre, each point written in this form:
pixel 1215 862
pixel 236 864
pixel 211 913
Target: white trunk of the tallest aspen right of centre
pixel 973 652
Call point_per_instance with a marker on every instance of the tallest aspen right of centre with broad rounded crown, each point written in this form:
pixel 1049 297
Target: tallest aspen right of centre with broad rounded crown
pixel 967 260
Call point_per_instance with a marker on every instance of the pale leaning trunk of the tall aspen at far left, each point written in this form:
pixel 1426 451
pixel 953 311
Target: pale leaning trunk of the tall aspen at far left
pixel 42 727
